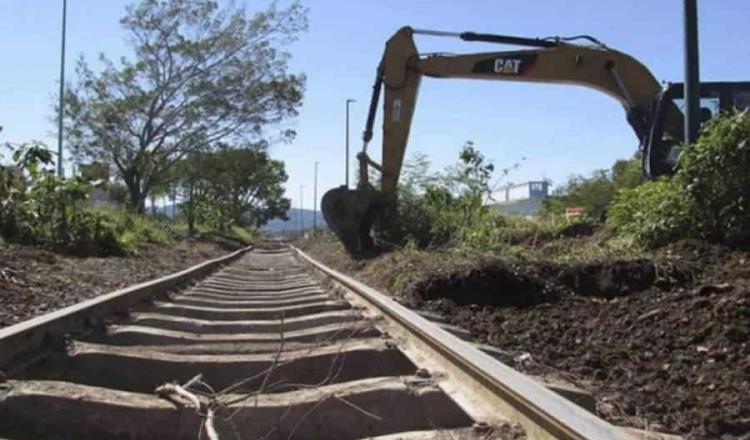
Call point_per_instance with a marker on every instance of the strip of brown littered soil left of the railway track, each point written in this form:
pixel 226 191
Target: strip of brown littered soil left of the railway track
pixel 35 281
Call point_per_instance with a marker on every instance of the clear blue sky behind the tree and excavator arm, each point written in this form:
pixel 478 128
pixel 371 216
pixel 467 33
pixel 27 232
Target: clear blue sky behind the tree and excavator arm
pixel 560 130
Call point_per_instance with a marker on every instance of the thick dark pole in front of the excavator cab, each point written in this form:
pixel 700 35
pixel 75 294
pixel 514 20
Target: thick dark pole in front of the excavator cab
pixel 692 72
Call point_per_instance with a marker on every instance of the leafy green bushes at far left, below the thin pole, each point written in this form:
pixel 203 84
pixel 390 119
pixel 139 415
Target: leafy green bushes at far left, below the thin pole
pixel 37 207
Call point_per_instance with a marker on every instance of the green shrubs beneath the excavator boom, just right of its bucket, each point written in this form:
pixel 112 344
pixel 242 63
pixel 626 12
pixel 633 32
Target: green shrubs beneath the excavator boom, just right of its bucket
pixel 447 210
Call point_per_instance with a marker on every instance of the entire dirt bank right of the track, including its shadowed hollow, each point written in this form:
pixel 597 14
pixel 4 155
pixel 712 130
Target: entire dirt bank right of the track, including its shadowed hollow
pixel 662 343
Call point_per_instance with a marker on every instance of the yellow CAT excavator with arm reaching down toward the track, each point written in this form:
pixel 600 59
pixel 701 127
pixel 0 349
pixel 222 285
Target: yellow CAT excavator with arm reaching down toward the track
pixel 650 109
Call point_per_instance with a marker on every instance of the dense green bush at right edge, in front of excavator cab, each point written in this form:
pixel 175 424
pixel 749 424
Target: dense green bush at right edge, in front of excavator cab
pixel 708 198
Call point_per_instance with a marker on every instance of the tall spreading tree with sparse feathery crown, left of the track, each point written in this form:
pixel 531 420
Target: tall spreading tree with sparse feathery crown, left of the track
pixel 199 75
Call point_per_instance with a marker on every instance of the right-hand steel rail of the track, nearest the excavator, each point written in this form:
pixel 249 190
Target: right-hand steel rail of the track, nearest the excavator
pixel 496 389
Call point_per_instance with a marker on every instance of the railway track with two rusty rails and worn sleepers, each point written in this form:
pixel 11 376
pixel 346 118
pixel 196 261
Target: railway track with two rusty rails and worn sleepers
pixel 272 345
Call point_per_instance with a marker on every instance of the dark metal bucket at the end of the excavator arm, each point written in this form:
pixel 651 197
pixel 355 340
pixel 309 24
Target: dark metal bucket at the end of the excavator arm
pixel 350 215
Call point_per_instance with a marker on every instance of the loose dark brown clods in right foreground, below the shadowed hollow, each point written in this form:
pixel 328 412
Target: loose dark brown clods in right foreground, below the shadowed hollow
pixel 680 360
